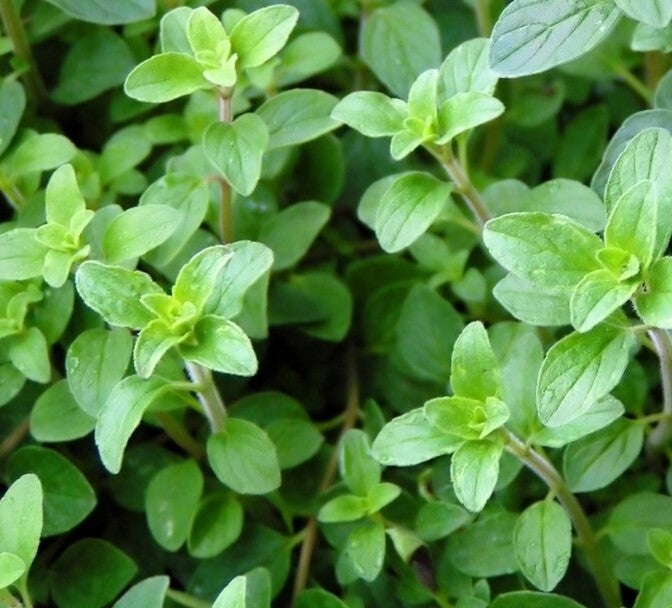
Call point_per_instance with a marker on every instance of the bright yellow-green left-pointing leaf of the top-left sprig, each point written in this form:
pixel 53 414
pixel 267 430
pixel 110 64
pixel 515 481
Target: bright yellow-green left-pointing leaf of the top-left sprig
pixel 165 77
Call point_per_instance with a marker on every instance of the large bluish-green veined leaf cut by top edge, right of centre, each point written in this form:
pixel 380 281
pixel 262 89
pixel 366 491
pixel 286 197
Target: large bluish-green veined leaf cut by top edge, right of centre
pixel 532 36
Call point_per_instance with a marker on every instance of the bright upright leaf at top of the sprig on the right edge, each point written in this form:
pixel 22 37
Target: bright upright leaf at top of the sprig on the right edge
pixel 632 222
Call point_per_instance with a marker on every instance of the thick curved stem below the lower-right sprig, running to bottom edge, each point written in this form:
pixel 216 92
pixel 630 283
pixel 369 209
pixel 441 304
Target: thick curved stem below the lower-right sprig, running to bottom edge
pixel 606 582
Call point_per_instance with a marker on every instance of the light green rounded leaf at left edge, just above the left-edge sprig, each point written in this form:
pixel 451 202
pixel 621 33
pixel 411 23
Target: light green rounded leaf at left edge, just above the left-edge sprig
pixel 42 152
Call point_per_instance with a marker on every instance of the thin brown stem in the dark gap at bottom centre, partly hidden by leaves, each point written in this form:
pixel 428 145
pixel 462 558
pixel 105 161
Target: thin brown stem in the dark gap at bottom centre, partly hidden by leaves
pixel 350 419
